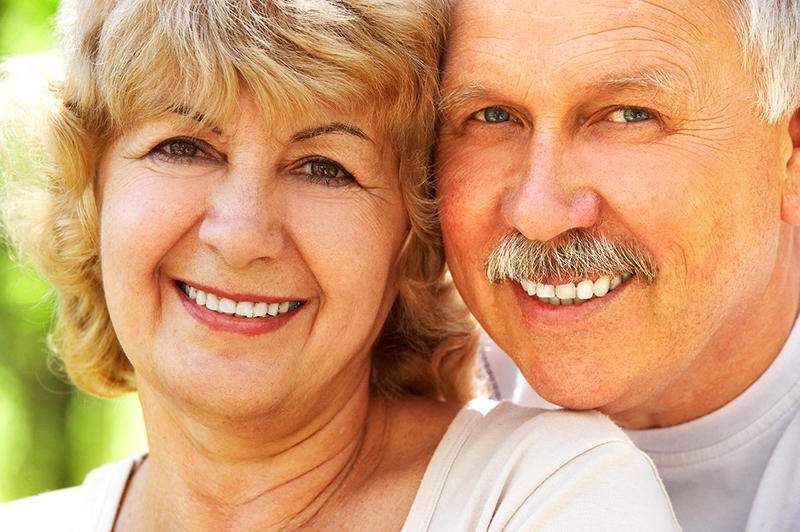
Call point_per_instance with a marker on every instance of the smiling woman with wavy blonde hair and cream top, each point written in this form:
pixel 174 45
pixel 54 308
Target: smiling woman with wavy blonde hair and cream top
pixel 238 224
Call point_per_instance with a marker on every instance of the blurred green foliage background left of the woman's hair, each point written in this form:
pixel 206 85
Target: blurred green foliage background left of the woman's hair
pixel 51 435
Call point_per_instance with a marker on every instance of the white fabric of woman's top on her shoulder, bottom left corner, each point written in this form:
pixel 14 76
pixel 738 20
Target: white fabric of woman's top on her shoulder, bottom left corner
pixel 83 508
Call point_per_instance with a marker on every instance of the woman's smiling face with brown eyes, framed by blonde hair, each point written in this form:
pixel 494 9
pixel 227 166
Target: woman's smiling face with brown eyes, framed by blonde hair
pixel 293 228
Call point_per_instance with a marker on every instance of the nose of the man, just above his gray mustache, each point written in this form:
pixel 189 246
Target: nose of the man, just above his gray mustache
pixel 548 198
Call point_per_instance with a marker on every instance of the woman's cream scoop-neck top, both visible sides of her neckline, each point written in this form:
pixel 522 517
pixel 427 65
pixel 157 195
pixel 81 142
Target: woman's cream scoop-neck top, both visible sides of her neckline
pixel 499 467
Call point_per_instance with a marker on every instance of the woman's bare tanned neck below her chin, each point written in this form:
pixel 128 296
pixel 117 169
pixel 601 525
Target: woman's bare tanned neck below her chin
pixel 254 475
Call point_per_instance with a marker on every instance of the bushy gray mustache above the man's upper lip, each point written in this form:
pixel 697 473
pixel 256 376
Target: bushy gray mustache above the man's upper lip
pixel 576 255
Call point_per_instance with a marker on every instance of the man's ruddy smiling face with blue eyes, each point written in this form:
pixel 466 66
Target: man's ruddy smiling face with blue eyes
pixel 635 122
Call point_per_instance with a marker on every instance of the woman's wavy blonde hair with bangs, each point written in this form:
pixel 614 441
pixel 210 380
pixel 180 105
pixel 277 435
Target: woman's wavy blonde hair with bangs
pixel 125 61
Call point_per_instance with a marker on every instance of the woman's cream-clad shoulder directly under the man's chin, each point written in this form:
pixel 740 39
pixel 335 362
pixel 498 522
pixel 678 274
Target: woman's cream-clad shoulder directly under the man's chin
pixel 503 466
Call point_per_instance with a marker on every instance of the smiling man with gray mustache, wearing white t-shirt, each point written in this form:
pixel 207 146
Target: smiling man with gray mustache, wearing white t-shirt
pixel 619 187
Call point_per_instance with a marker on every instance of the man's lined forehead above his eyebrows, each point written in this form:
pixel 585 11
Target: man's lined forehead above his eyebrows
pixel 592 47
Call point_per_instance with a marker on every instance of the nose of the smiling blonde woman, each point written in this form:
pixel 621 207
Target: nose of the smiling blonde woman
pixel 245 217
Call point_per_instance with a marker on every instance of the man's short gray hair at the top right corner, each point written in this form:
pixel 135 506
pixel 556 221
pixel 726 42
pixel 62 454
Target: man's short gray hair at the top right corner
pixel 771 37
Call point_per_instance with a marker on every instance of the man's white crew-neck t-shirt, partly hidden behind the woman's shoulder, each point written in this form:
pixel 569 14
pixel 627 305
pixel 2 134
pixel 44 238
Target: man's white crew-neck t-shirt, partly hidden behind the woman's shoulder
pixel 736 469
